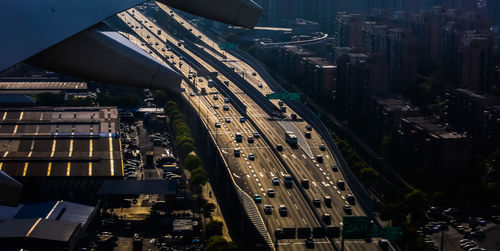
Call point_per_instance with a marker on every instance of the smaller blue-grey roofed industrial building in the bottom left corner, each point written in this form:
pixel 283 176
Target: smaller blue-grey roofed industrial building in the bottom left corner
pixel 55 225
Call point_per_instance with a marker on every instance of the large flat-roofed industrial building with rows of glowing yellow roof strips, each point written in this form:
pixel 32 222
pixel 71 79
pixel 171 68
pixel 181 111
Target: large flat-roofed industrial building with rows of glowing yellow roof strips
pixel 60 148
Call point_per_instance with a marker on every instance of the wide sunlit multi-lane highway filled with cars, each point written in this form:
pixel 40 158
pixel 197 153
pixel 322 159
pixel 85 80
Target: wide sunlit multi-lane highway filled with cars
pixel 255 176
